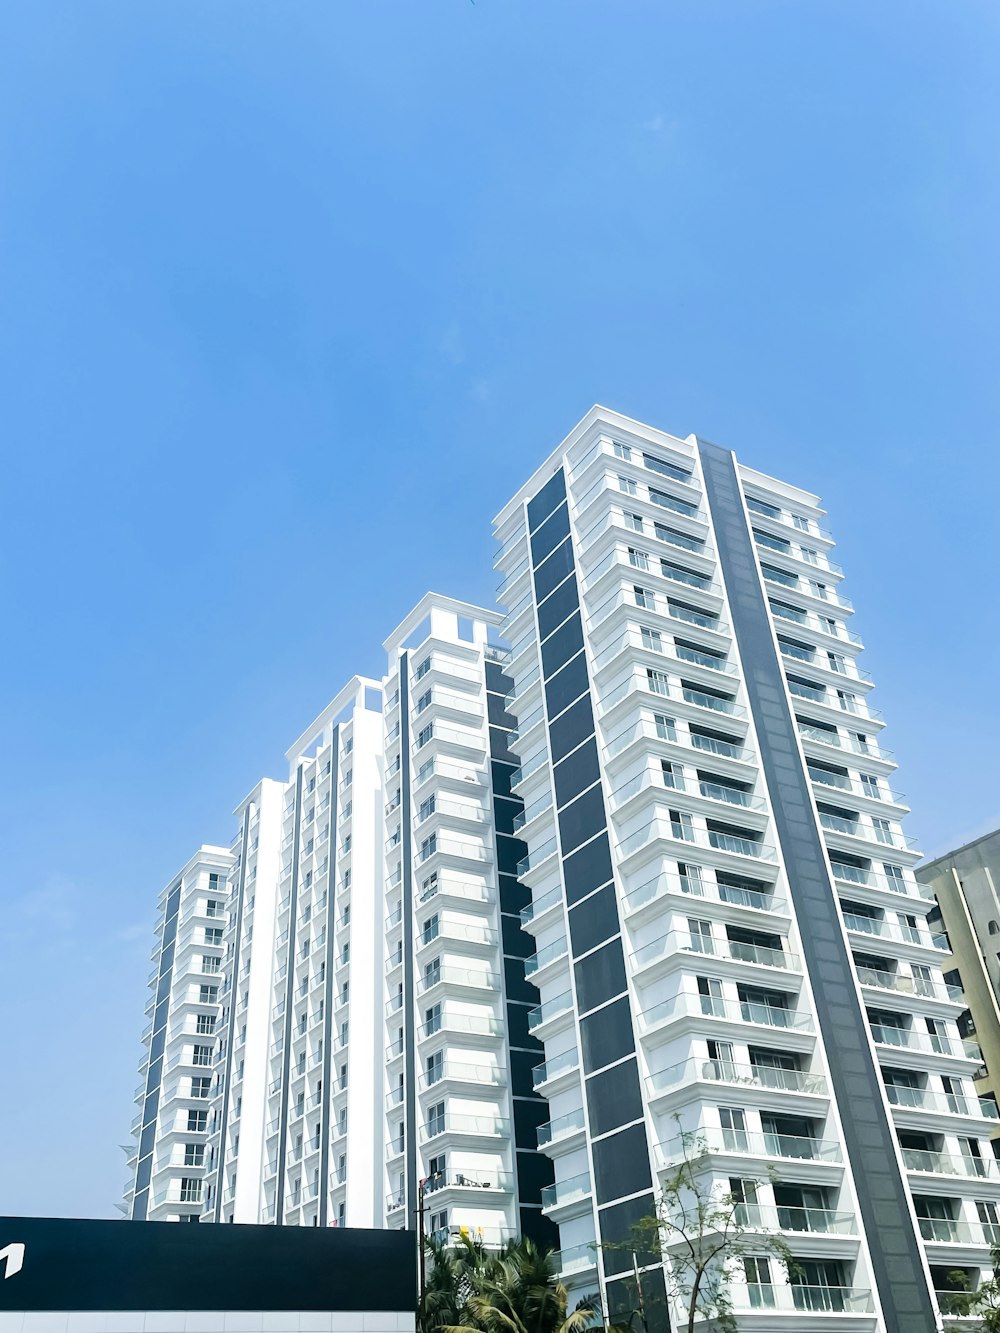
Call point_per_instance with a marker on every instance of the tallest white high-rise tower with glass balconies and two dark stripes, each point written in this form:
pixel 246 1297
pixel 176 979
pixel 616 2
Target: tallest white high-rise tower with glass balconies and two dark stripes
pixel 730 936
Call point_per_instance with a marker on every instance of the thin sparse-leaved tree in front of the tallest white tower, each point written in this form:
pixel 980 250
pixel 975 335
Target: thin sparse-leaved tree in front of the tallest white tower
pixel 699 1232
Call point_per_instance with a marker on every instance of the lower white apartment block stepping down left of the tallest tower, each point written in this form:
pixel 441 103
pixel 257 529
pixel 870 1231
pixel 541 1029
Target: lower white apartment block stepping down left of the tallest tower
pixel 370 1010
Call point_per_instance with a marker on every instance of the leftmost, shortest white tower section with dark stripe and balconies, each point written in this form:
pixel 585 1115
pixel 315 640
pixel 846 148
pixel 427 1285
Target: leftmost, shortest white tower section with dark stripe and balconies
pixel 167 1162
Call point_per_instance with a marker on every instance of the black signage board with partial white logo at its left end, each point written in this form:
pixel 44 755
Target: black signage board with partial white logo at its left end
pixel 63 1264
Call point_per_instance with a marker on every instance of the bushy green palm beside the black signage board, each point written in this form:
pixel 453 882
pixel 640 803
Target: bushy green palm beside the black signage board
pixel 515 1291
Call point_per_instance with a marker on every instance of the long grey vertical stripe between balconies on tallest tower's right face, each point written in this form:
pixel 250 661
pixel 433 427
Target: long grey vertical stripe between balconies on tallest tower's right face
pixel 870 1138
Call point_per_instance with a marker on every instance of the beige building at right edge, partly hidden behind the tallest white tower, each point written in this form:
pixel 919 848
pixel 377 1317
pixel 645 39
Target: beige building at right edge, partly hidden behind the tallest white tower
pixel 967 887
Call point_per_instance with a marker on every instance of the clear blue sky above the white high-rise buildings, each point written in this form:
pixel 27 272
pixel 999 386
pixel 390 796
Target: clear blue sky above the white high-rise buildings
pixel 295 295
